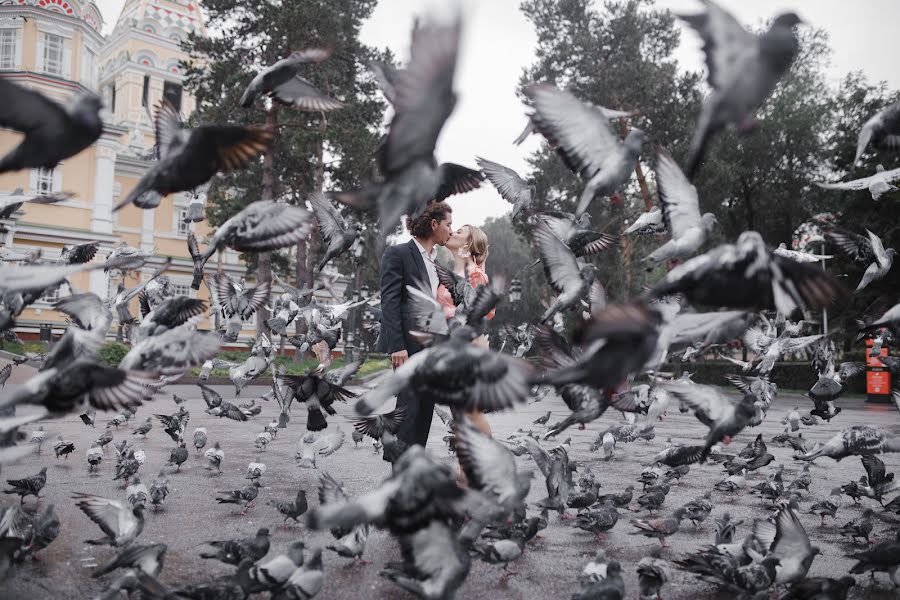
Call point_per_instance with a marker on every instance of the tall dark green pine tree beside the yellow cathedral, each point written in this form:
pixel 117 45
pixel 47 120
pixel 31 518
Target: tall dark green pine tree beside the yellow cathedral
pixel 312 151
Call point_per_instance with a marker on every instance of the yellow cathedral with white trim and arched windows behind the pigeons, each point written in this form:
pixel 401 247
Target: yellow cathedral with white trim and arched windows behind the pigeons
pixel 56 47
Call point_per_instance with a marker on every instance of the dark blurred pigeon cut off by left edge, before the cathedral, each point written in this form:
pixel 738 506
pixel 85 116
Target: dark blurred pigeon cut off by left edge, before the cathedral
pixel 53 132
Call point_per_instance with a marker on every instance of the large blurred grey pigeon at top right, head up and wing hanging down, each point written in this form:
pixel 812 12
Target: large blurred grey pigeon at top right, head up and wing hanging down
pixel 743 70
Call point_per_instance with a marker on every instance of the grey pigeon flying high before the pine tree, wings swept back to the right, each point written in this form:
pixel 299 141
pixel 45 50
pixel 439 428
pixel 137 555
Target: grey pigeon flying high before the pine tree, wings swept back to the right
pixel 282 82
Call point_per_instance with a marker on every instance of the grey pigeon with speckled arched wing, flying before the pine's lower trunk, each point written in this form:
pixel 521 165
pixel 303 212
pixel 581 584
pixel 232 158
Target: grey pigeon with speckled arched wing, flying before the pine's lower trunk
pixel 260 226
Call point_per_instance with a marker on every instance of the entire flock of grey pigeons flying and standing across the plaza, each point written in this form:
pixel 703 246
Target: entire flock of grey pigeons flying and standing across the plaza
pixel 440 525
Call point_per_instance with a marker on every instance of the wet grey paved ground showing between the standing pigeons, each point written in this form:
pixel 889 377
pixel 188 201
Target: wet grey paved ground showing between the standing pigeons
pixel 548 569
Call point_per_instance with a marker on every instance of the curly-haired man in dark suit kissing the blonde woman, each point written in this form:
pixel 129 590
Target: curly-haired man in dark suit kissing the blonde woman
pixel 411 264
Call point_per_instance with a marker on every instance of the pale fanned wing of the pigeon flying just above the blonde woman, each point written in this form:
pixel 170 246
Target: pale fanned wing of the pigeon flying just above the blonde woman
pixel 579 131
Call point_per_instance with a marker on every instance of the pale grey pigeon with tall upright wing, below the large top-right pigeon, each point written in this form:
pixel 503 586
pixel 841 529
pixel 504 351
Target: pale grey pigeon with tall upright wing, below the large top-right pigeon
pixel 681 213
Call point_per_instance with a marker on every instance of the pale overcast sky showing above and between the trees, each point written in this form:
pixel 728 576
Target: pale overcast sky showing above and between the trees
pixel 498 43
